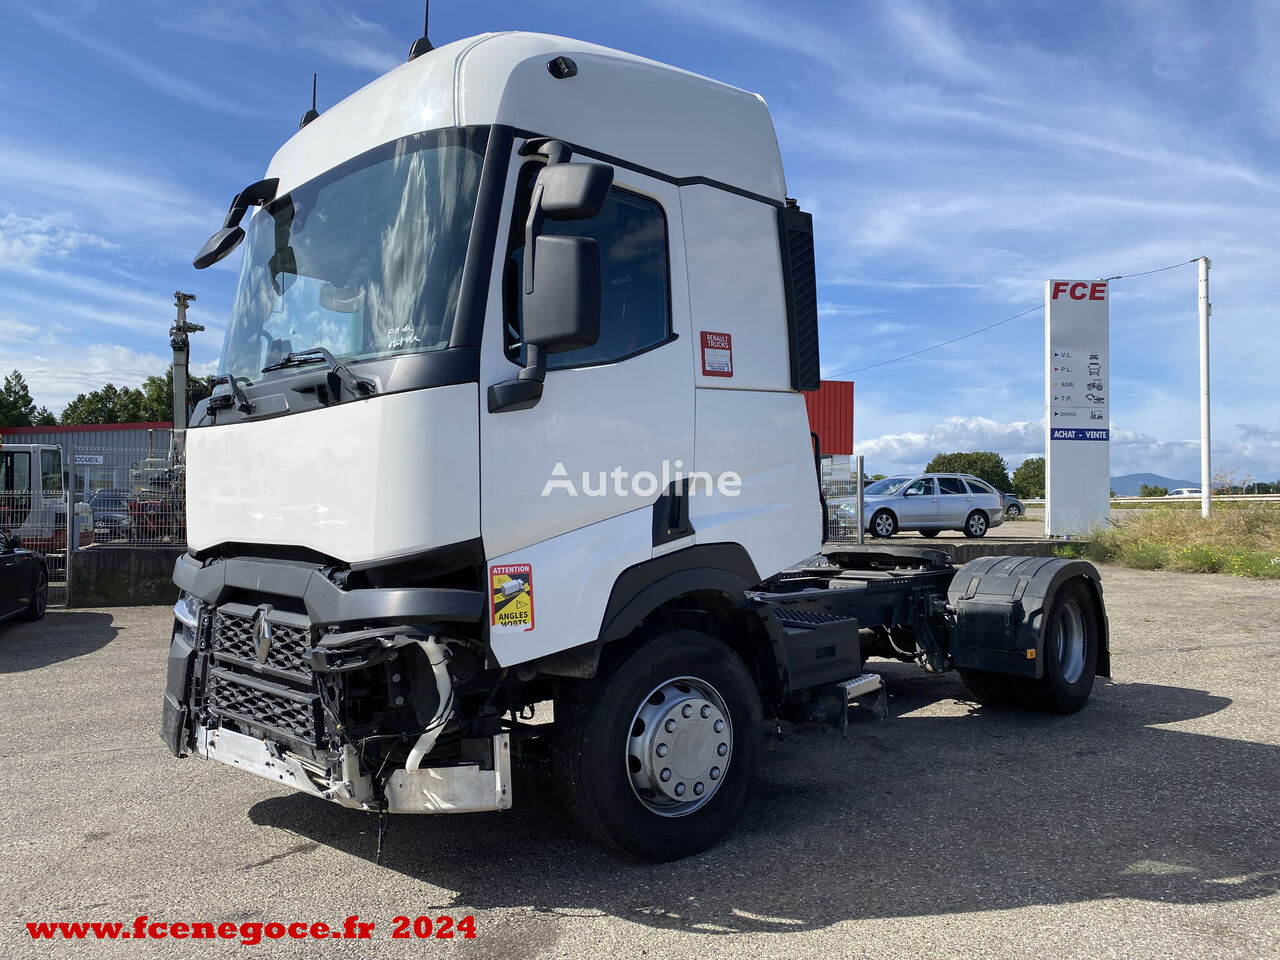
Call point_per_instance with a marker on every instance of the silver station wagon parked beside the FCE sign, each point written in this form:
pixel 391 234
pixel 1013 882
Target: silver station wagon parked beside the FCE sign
pixel 929 504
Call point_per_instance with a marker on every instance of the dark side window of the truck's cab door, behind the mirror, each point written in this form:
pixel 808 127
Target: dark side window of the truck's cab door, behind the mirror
pixel 636 291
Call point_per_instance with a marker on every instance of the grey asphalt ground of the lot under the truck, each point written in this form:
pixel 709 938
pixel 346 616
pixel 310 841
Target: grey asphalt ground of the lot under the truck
pixel 1146 826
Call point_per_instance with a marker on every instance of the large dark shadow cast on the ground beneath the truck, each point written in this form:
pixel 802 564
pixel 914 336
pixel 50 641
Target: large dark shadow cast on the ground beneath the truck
pixel 917 816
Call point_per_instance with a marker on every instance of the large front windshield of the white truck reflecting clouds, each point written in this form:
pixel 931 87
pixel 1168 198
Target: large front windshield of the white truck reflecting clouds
pixel 365 260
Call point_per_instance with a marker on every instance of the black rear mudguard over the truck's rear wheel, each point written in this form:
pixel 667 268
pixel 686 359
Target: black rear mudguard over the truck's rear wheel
pixel 1000 606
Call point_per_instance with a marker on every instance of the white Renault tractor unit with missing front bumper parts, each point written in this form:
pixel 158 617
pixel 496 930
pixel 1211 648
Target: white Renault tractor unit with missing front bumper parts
pixel 511 412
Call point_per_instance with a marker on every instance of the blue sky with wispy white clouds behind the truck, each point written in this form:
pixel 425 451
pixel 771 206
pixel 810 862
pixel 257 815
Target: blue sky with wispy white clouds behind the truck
pixel 954 157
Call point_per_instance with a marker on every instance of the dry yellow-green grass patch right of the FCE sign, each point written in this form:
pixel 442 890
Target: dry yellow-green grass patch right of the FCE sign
pixel 1241 540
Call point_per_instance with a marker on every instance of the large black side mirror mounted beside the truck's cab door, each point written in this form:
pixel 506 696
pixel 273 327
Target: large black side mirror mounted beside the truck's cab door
pixel 561 285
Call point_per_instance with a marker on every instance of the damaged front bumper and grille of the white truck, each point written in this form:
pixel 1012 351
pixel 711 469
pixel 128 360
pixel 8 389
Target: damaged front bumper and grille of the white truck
pixel 267 659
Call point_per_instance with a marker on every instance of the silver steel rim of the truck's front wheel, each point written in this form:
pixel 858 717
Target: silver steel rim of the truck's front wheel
pixel 679 747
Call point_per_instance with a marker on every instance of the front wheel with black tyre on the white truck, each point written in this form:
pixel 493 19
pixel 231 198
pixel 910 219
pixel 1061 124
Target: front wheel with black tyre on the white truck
pixel 657 760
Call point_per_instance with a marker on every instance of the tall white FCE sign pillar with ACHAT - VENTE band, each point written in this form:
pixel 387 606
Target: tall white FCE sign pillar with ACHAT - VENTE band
pixel 1077 406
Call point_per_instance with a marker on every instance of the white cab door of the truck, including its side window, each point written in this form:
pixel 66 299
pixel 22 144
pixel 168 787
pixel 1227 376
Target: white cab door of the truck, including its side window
pixel 569 487
